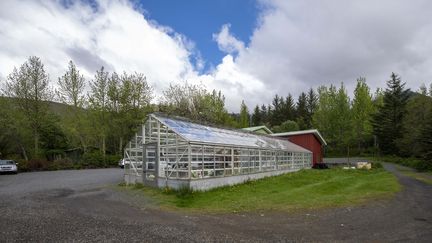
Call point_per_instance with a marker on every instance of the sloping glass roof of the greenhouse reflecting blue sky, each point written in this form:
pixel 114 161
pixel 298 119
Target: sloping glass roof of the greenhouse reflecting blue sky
pixel 194 132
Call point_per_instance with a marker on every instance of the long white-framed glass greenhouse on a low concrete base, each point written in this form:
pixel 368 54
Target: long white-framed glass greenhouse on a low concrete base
pixel 174 152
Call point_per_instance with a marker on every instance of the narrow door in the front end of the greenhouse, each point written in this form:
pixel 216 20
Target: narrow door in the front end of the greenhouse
pixel 150 164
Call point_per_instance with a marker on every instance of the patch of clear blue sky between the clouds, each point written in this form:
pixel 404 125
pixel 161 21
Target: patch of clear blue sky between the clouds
pixel 199 20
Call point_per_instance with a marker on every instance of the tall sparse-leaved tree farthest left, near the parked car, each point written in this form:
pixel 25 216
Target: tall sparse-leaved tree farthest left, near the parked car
pixel 29 85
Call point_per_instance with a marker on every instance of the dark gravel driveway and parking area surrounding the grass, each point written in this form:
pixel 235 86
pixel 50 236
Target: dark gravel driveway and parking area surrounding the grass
pixel 81 206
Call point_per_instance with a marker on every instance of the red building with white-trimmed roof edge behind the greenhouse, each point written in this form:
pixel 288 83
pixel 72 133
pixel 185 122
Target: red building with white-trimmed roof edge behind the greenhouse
pixel 308 139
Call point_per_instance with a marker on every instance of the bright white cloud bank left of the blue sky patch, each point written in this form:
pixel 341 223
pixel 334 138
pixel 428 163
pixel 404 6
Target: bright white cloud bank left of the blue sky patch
pixel 114 35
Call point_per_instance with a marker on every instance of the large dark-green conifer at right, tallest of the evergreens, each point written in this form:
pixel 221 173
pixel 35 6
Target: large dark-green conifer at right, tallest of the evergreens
pixel 388 121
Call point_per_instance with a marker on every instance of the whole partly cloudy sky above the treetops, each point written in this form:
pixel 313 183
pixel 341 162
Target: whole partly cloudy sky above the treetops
pixel 248 49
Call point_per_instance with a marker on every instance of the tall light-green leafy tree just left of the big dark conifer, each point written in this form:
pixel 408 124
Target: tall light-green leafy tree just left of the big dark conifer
pixel 362 111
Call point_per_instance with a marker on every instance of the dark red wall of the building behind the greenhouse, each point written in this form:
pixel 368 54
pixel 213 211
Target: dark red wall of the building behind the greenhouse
pixel 309 142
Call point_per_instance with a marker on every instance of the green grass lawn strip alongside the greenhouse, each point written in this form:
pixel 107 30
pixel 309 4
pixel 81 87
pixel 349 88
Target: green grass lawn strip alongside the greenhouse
pixel 307 189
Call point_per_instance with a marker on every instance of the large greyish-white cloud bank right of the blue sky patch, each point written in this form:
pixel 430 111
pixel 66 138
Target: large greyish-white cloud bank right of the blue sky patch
pixel 300 44
